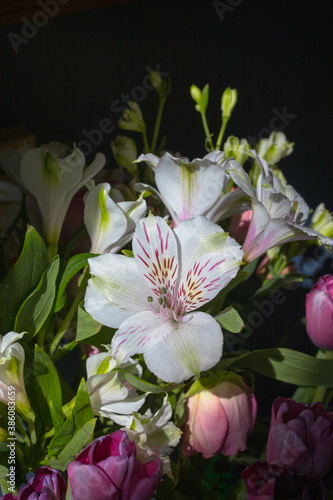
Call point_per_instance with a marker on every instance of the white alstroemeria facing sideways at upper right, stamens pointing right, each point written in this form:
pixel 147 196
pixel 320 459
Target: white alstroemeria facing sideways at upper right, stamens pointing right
pixel 279 212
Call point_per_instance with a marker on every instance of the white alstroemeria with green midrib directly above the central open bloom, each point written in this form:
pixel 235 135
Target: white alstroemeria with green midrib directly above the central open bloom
pixel 192 188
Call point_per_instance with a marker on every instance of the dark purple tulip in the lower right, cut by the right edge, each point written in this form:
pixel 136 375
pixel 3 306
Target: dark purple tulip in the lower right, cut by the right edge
pixel 301 437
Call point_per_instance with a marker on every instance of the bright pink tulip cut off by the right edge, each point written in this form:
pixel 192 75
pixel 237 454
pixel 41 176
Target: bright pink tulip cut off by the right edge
pixel 319 312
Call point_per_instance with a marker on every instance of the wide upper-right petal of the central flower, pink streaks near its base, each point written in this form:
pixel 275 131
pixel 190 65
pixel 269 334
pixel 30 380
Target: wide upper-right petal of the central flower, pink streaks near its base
pixel 209 261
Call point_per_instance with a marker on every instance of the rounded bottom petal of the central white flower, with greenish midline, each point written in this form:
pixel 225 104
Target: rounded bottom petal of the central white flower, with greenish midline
pixel 193 345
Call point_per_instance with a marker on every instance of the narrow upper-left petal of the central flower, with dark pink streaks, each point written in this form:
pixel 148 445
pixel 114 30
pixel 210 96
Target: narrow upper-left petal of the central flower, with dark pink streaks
pixel 156 254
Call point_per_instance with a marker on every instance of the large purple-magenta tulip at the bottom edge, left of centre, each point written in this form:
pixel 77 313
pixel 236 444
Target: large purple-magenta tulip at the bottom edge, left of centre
pixel 108 469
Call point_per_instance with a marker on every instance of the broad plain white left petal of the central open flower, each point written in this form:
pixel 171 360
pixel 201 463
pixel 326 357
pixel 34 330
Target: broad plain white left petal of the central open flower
pixel 116 289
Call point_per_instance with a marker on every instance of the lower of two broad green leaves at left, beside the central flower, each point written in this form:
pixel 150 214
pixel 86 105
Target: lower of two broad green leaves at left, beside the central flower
pixel 37 306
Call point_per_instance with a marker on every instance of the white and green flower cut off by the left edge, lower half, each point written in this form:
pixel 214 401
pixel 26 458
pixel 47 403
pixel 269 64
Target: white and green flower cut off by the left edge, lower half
pixel 12 358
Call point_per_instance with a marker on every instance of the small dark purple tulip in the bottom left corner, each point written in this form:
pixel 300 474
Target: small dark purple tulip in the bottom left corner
pixel 46 484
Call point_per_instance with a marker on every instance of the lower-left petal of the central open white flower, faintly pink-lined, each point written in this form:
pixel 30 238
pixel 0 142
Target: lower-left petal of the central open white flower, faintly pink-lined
pixel 140 333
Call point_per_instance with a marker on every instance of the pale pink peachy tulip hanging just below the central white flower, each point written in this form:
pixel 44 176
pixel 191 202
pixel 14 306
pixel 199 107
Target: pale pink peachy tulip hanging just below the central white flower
pixel 219 420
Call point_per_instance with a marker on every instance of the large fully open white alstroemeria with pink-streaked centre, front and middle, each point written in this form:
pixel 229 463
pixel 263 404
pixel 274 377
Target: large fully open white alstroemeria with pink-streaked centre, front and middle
pixel 151 297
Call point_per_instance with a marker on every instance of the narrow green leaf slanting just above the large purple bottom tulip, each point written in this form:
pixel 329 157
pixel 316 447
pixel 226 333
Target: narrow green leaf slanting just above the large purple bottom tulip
pixel 76 444
